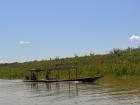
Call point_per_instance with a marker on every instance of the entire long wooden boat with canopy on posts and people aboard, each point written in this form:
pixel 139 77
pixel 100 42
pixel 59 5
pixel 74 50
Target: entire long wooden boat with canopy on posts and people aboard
pixel 34 75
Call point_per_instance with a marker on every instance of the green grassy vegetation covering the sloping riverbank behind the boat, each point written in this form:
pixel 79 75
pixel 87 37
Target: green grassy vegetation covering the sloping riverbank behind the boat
pixel 118 62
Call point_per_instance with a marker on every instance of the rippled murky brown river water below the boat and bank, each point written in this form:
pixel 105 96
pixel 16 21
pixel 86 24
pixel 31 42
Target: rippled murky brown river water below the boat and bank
pixel 104 92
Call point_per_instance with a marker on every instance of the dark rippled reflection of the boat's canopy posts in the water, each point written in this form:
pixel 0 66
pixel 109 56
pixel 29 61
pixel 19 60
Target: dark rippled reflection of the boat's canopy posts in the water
pixel 69 89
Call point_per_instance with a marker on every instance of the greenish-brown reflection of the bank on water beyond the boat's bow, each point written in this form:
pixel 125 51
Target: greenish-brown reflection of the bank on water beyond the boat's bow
pixel 124 90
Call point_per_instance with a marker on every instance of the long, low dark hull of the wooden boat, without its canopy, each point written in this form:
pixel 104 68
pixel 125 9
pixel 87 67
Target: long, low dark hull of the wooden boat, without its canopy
pixel 89 79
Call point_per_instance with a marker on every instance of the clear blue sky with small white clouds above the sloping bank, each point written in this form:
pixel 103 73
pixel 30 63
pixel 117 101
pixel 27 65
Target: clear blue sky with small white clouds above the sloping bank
pixel 43 29
